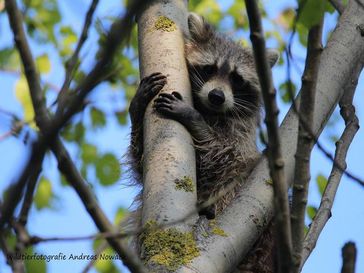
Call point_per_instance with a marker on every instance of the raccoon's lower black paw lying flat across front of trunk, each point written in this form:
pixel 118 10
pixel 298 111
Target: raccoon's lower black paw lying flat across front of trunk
pixel 172 106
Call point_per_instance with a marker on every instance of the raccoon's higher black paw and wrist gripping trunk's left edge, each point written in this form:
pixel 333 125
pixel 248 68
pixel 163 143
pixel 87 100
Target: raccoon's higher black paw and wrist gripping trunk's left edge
pixel 148 88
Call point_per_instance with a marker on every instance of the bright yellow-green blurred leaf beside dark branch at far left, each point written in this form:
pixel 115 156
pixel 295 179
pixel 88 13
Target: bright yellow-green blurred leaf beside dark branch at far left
pixel 23 96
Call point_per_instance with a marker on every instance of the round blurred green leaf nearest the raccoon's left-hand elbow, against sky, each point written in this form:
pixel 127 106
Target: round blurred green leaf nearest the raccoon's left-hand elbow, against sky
pixel 108 169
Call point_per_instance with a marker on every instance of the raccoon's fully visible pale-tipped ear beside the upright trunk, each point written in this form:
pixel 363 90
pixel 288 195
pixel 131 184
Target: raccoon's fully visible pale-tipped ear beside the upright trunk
pixel 200 30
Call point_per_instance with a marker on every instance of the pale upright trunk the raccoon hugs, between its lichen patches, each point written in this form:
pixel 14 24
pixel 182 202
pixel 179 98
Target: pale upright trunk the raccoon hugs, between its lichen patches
pixel 168 148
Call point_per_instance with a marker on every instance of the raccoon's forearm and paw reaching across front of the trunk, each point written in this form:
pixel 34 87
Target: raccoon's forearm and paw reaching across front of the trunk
pixel 174 107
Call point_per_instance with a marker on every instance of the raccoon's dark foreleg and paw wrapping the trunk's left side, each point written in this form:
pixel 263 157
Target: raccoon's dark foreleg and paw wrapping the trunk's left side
pixel 148 88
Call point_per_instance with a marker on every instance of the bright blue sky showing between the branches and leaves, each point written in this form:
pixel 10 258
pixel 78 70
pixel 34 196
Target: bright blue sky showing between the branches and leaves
pixel 69 217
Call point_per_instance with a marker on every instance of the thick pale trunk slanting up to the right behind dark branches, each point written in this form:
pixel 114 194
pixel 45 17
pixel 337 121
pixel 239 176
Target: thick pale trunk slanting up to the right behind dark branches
pixel 248 215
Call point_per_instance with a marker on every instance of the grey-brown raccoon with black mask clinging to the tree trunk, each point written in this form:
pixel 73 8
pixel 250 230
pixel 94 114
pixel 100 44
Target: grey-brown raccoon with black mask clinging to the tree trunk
pixel 225 114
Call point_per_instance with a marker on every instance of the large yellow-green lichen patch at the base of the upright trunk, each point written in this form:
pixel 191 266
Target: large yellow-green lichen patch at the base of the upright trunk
pixel 169 248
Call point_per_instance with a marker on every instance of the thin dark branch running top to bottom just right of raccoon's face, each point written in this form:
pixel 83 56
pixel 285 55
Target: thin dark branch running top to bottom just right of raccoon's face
pixel 276 162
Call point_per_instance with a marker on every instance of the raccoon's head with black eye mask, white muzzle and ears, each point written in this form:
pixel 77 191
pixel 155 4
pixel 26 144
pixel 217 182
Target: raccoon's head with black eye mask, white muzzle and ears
pixel 222 72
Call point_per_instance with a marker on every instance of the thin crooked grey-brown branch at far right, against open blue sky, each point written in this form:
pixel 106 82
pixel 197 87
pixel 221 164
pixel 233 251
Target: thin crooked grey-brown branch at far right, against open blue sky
pixel 342 145
